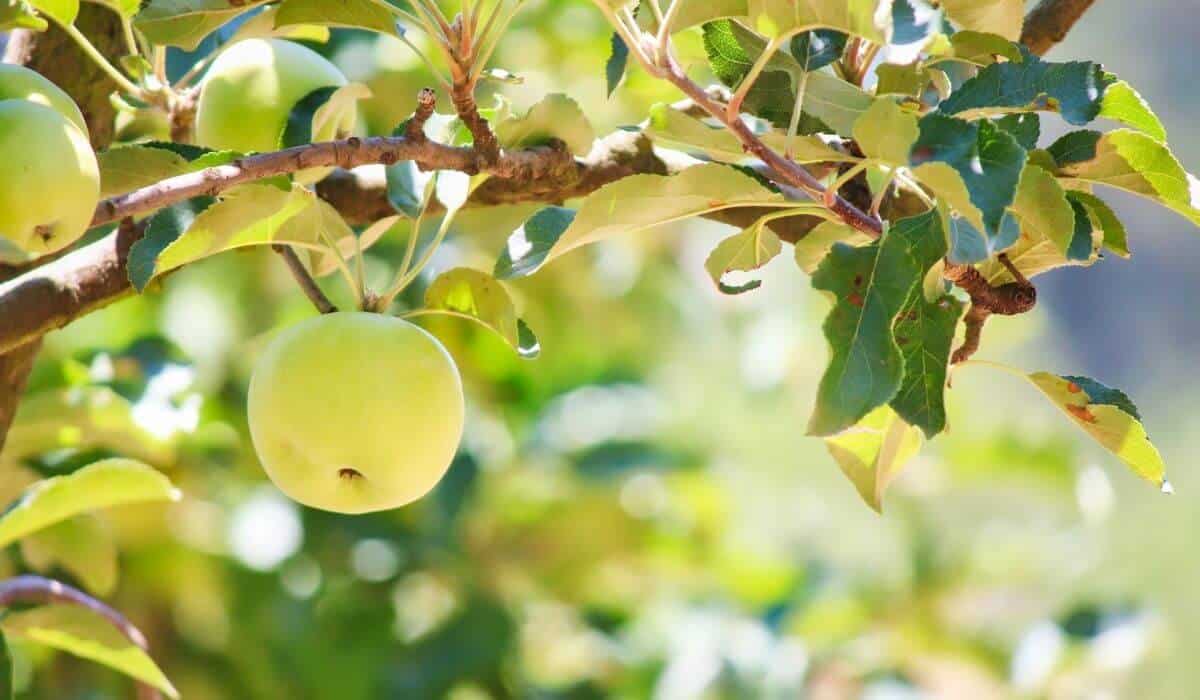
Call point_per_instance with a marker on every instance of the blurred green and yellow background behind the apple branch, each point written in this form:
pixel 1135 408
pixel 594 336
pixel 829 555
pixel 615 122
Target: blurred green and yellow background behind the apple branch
pixel 638 513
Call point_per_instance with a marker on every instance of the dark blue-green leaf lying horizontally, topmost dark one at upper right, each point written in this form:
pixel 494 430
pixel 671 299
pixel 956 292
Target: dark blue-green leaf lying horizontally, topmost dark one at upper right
pixel 1075 89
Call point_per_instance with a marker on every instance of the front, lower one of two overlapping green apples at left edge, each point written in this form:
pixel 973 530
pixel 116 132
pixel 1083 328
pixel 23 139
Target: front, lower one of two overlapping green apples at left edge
pixel 50 182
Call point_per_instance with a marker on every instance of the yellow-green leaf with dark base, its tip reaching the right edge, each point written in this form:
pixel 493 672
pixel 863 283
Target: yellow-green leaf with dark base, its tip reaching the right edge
pixel 1131 161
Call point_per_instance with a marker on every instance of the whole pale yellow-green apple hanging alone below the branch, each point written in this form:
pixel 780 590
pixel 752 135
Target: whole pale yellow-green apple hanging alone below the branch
pixel 356 392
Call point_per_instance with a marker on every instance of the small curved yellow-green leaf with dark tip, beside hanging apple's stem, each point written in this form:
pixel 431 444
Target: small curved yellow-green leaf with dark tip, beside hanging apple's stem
pixel 479 296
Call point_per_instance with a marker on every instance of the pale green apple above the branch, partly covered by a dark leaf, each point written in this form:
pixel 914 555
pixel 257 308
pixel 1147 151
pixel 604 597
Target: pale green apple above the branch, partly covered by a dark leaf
pixel 253 87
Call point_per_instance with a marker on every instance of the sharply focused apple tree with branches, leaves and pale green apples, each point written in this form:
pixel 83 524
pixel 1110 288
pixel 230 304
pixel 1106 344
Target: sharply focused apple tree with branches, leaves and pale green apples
pixel 895 146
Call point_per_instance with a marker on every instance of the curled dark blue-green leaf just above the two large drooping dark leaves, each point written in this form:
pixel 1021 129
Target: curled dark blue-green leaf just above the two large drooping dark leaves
pixel 988 161
